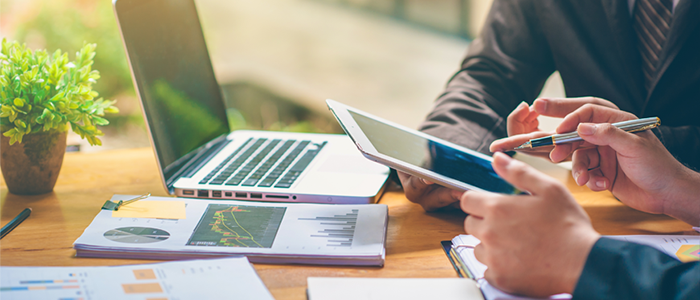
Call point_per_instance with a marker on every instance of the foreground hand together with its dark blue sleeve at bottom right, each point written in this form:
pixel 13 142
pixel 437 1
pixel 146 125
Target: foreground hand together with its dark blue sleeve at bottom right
pixel 543 244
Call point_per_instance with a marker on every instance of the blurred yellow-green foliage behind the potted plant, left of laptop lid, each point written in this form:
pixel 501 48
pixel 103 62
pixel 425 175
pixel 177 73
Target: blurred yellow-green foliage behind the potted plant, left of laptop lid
pixel 66 25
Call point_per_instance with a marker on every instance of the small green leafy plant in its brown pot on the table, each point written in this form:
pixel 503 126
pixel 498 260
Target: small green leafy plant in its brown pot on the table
pixel 40 96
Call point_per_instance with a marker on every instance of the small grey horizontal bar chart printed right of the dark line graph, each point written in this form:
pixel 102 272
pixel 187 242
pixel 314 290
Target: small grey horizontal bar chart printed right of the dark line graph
pixel 338 230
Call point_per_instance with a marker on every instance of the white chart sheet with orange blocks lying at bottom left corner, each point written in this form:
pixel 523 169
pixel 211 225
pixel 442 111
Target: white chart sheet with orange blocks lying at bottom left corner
pixel 228 278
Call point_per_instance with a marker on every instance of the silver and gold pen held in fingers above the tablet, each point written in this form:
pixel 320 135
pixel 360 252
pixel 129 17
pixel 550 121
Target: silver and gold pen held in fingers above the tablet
pixel 570 137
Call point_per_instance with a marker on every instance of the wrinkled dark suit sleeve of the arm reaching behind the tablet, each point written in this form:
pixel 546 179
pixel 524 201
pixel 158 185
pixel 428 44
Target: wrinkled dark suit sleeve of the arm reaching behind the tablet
pixel 506 65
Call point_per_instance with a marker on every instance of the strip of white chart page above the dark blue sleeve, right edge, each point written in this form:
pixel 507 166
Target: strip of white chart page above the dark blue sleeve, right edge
pixel 682 247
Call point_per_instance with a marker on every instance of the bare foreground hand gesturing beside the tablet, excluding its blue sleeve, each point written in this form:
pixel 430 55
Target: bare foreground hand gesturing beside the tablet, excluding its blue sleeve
pixel 536 244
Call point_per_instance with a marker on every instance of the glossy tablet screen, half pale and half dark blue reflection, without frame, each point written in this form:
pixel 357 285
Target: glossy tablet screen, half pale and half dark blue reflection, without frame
pixel 432 155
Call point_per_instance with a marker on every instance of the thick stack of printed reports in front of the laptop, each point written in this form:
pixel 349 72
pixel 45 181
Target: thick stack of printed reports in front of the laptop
pixel 264 232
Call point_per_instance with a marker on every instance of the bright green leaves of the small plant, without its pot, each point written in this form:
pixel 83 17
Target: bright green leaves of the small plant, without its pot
pixel 42 92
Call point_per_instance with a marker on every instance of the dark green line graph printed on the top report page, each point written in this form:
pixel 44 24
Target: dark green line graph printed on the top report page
pixel 229 225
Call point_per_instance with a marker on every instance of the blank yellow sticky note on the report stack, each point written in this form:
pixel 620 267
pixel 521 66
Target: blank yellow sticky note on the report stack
pixel 152 209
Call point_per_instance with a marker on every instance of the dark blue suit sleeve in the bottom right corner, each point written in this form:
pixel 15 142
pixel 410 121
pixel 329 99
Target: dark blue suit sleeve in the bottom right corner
pixel 623 270
